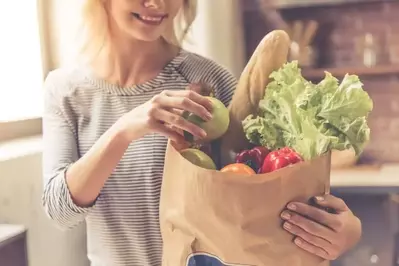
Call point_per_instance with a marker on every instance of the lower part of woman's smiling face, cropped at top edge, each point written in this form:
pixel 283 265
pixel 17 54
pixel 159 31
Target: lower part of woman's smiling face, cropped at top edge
pixel 144 20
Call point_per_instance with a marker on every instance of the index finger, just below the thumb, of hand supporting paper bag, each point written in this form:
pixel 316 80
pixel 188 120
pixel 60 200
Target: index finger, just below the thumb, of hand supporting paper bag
pixel 320 216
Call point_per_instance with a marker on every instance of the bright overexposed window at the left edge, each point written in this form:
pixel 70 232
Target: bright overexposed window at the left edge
pixel 21 68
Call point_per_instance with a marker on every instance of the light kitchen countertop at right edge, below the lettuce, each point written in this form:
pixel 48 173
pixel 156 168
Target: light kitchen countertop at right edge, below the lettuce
pixel 367 179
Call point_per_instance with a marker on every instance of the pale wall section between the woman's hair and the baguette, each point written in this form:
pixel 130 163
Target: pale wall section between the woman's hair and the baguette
pixel 217 33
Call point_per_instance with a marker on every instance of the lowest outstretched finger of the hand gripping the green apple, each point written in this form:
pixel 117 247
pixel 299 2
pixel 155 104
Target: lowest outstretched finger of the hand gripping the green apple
pixel 178 122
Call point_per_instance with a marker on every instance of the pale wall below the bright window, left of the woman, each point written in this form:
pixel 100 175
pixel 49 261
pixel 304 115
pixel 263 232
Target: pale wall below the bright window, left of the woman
pixel 20 203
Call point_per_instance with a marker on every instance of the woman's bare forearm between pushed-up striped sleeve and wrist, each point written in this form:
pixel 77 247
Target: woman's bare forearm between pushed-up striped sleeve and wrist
pixel 87 176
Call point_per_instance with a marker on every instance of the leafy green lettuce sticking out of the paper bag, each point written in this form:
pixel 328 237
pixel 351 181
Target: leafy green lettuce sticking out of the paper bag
pixel 311 118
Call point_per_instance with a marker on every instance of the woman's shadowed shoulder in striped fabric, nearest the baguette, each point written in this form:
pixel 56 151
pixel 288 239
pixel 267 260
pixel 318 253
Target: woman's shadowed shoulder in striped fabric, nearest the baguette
pixel 198 69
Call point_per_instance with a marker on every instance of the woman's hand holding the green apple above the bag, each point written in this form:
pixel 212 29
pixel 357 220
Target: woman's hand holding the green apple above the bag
pixel 163 114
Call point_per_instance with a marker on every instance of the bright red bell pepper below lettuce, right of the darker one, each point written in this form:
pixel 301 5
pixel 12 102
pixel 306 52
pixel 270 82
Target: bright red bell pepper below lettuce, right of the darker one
pixel 279 159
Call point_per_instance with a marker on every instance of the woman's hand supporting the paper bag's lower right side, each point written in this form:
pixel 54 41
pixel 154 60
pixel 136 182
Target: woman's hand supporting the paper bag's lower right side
pixel 327 235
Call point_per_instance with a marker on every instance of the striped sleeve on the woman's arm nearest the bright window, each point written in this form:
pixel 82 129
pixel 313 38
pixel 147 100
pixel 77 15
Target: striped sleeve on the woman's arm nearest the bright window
pixel 60 150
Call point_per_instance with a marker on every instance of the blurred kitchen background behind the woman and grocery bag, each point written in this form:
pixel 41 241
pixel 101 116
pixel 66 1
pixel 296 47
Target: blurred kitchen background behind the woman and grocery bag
pixel 341 36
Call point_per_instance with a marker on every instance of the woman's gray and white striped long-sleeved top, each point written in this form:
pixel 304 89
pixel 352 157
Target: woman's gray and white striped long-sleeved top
pixel 123 225
